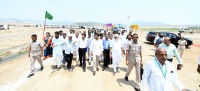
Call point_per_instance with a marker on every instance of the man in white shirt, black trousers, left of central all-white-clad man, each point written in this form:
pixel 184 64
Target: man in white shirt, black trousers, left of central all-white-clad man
pixel 82 51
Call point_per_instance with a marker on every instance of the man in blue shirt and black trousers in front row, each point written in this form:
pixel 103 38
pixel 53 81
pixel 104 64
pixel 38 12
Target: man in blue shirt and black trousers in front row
pixel 106 44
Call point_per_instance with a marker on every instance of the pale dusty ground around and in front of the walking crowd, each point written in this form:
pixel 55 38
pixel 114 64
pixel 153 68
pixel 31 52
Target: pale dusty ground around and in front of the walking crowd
pixel 13 73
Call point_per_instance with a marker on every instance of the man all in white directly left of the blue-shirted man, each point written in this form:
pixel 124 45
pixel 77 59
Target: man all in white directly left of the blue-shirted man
pixel 96 51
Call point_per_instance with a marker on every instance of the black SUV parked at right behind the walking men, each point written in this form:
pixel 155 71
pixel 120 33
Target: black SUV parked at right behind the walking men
pixel 174 38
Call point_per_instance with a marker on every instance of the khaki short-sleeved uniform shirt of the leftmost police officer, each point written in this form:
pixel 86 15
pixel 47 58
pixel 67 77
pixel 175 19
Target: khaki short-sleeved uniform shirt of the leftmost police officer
pixel 36 48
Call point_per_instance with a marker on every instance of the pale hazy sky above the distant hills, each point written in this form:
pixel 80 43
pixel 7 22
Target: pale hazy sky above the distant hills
pixel 174 12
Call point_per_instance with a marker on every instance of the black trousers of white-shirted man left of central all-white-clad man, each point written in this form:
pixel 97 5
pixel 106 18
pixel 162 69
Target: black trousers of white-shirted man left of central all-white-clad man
pixel 82 54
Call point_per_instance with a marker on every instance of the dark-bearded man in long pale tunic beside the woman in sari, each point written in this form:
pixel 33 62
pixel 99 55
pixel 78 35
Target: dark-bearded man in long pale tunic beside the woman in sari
pixel 57 44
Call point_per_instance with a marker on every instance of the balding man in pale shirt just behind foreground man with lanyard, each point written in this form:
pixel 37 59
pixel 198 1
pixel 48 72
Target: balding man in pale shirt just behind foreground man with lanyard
pixel 171 50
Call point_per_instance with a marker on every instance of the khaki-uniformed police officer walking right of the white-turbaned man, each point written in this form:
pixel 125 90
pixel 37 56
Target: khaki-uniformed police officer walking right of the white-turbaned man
pixel 134 58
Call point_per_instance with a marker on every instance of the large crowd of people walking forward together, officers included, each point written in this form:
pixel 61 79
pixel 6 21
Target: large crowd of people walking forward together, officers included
pixel 158 74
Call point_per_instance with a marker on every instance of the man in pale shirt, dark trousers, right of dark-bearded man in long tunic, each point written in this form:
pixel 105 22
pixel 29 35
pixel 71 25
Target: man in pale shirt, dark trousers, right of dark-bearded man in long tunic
pixel 69 50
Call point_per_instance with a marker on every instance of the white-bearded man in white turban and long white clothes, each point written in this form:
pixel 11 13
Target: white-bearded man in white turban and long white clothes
pixel 116 52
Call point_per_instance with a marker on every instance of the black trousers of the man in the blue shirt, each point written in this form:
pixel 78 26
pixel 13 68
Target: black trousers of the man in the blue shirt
pixel 106 53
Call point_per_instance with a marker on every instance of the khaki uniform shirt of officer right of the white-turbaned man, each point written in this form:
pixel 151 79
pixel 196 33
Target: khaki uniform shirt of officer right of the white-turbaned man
pixel 134 51
